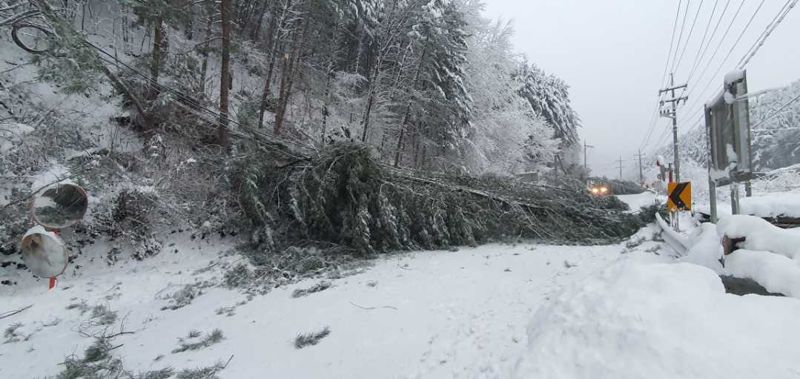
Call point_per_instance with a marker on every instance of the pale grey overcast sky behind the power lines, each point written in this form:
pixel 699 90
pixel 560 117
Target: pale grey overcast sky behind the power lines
pixel 613 53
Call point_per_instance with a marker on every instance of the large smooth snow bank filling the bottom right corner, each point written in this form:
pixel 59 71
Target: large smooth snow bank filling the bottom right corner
pixel 637 320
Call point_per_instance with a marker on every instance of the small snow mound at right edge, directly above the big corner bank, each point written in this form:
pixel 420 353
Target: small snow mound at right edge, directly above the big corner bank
pixel 776 273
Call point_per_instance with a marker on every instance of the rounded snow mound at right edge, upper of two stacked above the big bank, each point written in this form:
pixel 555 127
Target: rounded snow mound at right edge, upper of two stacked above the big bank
pixel 760 235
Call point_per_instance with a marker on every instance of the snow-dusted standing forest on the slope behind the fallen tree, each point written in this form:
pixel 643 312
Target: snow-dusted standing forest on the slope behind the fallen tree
pixel 431 84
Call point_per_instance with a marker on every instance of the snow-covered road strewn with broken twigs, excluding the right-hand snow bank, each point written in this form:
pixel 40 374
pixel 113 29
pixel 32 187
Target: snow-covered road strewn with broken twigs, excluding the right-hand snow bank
pixel 429 314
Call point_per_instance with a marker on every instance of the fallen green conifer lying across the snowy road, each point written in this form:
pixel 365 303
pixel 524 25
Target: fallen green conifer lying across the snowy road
pixel 345 200
